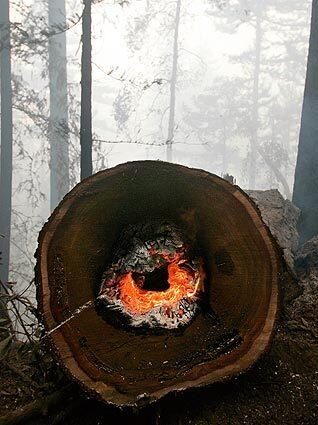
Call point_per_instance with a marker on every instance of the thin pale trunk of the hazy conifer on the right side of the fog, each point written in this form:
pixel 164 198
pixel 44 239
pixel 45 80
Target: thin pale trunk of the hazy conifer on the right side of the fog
pixel 255 101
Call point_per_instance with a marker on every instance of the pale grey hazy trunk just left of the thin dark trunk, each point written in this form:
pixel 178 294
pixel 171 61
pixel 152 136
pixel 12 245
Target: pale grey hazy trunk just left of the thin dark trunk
pixel 58 132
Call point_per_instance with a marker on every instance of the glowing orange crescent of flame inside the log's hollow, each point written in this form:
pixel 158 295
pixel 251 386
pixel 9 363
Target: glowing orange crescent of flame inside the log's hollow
pixel 182 283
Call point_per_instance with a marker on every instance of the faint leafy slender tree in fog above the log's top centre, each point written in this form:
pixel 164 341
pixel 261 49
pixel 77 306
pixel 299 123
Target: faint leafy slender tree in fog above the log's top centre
pixel 152 93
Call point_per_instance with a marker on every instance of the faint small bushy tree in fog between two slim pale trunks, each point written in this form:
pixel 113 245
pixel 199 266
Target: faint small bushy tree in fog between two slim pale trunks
pixel 216 116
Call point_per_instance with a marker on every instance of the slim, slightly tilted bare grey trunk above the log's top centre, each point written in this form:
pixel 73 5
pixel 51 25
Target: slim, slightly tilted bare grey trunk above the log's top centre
pixel 173 82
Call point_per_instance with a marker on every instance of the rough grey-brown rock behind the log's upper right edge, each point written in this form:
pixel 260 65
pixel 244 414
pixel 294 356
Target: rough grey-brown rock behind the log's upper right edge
pixel 281 217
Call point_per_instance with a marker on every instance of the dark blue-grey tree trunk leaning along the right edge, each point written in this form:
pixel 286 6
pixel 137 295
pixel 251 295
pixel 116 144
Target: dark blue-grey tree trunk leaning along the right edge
pixel 305 194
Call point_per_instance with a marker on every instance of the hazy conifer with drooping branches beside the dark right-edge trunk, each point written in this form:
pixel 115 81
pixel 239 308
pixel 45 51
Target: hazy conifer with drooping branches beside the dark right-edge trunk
pixel 271 64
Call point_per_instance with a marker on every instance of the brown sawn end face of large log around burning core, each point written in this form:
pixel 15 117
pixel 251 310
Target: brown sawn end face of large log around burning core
pixel 243 267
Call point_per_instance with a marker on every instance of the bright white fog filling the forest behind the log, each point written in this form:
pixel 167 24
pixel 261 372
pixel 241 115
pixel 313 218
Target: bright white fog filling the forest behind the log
pixel 239 84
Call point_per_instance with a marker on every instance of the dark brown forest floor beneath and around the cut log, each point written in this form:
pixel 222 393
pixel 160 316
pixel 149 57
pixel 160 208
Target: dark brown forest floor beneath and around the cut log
pixel 282 388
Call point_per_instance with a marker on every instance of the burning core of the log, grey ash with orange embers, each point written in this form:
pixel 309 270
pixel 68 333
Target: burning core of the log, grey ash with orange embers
pixel 156 281
